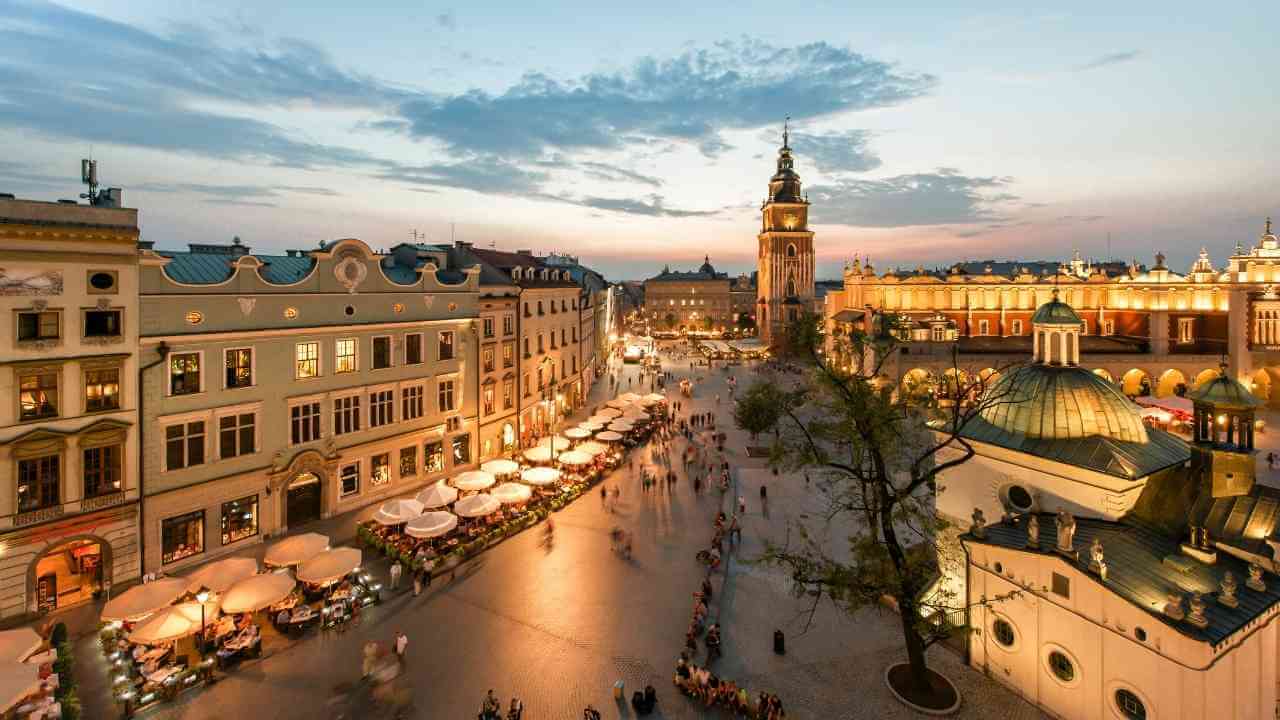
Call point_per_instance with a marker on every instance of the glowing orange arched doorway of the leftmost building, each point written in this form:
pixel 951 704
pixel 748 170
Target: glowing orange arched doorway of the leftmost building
pixel 68 572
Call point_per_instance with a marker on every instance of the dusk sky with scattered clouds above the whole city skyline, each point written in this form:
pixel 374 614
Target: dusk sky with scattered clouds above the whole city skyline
pixel 643 135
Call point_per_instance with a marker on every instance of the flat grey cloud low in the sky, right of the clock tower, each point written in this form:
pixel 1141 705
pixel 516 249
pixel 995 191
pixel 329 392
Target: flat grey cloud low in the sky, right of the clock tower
pixel 944 197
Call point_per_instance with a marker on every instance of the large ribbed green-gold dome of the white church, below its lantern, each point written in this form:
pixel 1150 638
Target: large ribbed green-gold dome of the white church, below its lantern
pixel 1062 403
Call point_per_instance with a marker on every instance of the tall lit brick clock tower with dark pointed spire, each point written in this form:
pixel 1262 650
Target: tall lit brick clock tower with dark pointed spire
pixel 785 261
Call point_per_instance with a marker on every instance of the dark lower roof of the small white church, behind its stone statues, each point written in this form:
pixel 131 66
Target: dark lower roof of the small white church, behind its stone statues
pixel 1139 572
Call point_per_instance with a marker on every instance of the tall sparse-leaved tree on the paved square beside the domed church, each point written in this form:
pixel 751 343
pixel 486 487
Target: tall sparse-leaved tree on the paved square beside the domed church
pixel 879 455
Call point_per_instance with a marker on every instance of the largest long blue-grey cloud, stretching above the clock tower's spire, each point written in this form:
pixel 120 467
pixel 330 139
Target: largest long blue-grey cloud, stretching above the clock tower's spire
pixel 689 98
